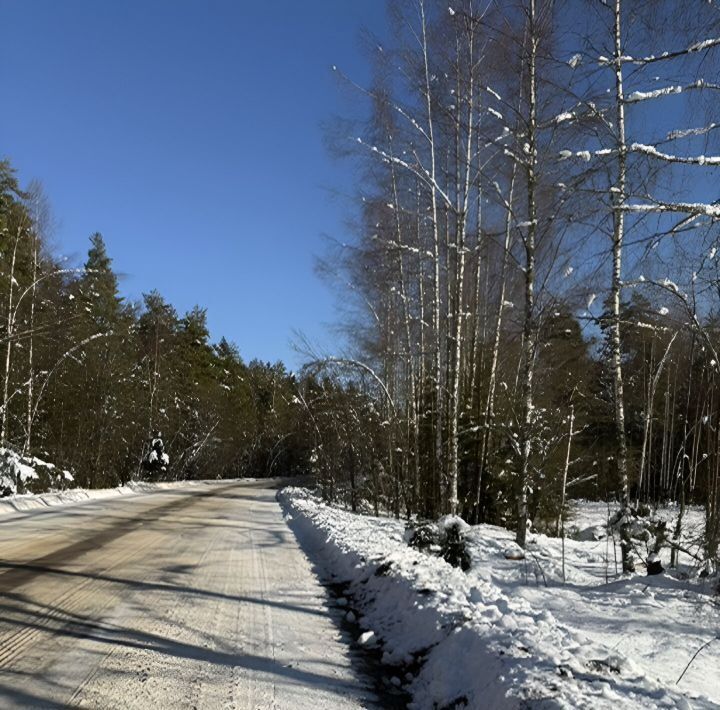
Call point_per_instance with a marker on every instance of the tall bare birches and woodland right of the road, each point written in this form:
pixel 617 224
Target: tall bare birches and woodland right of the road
pixel 534 277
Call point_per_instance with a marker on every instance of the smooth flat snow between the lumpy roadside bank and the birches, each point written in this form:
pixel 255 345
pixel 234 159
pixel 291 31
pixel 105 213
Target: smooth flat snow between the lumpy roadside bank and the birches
pixel 659 622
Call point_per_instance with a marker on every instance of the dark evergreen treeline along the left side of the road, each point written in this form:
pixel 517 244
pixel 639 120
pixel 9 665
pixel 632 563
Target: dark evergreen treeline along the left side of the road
pixel 88 377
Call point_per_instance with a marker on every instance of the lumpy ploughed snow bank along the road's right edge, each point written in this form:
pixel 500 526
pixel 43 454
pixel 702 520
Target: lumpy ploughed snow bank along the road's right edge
pixel 475 643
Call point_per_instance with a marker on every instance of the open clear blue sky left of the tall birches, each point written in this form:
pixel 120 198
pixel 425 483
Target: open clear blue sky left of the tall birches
pixel 188 133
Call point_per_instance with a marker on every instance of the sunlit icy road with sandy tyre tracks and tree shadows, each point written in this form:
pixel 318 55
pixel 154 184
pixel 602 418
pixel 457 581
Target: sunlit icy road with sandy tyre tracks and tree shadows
pixel 197 597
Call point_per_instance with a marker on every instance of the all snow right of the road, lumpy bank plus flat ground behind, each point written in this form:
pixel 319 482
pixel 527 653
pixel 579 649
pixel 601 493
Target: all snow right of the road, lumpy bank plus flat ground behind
pixel 509 633
